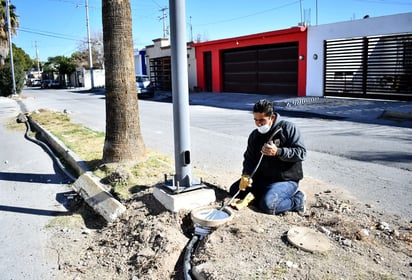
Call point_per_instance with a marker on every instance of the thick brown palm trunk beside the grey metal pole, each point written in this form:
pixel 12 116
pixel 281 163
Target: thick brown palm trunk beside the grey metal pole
pixel 123 142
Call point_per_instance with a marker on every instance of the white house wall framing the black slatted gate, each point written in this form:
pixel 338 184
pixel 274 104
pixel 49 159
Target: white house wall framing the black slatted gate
pixel 400 23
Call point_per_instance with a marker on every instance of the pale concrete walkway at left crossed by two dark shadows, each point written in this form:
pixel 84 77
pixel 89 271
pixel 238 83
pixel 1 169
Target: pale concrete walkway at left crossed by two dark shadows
pixel 32 193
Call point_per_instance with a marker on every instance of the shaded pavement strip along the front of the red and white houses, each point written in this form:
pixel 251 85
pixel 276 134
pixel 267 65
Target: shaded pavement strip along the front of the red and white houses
pixel 386 112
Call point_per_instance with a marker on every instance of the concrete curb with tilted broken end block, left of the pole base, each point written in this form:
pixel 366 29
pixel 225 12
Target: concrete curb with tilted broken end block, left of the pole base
pixel 87 185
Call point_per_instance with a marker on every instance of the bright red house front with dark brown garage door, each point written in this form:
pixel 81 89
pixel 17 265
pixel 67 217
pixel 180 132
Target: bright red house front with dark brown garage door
pixel 267 63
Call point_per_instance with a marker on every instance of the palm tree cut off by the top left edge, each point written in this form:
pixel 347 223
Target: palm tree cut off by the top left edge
pixel 4 41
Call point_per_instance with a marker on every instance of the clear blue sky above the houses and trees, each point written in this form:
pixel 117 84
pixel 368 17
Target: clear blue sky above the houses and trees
pixel 57 27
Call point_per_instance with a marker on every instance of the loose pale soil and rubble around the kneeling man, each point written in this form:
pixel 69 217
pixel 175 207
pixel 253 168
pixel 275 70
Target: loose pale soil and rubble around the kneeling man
pixel 149 242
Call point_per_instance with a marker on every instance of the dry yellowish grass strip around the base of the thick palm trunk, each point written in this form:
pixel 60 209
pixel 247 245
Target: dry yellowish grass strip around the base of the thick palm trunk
pixel 88 145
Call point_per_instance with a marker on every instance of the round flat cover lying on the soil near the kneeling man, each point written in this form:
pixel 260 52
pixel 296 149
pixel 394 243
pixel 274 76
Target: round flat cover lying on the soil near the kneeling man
pixel 308 239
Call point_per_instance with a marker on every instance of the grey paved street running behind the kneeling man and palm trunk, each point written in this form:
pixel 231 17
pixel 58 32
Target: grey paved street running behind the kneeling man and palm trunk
pixel 348 144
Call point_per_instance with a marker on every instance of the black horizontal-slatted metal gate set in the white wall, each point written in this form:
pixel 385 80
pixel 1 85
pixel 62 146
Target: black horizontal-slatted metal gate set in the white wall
pixel 369 67
